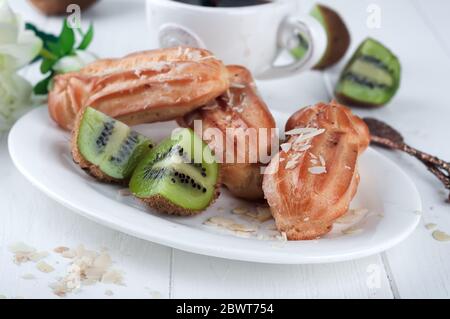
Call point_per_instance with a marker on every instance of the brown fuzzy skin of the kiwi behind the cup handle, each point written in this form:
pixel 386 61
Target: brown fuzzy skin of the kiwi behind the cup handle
pixel 338 38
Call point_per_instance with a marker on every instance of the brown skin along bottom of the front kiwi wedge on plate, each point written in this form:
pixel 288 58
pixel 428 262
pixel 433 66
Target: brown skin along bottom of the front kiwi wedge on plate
pixel 163 205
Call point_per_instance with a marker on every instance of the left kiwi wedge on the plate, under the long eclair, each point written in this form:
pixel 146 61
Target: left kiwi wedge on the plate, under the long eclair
pixel 106 148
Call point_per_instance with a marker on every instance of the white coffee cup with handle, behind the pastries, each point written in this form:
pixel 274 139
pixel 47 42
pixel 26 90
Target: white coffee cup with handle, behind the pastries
pixel 253 36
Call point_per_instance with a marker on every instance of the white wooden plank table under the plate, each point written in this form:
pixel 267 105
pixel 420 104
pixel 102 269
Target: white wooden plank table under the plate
pixel 419 267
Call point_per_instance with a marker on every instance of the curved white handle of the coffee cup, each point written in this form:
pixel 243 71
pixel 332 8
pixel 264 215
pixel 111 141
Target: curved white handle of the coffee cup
pixel 288 38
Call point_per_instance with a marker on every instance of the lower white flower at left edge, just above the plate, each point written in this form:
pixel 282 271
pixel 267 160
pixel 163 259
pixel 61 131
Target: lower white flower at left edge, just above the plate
pixel 15 94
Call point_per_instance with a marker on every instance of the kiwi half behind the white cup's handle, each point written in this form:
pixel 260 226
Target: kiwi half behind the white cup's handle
pixel 338 37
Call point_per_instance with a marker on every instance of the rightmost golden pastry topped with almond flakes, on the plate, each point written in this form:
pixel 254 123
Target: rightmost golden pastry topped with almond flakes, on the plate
pixel 311 182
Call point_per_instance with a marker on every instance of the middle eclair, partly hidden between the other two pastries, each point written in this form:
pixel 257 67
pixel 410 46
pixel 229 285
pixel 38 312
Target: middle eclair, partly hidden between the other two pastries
pixel 240 108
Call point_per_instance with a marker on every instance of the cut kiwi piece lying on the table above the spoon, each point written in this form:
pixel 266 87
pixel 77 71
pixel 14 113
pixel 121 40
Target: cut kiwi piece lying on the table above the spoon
pixel 371 78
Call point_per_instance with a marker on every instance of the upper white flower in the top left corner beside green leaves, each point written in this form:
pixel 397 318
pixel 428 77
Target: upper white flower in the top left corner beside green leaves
pixel 17 45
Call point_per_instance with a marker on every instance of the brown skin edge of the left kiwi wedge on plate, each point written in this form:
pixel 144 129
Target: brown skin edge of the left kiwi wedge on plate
pixel 88 167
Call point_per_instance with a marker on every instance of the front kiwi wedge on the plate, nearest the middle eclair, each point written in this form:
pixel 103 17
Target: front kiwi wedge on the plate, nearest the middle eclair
pixel 180 176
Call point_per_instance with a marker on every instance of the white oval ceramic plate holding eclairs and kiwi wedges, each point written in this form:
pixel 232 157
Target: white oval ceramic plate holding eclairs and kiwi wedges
pixel 40 150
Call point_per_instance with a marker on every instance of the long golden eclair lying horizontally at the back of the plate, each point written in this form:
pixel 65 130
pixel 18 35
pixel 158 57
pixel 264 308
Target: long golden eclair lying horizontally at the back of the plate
pixel 144 87
